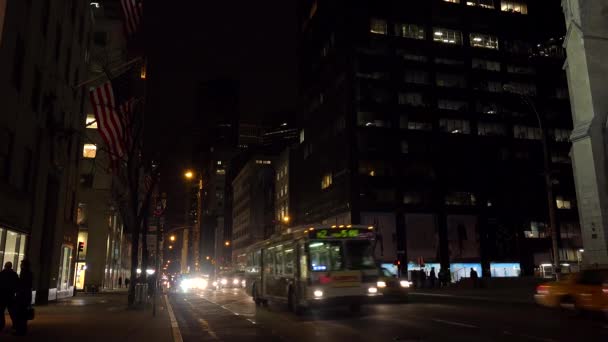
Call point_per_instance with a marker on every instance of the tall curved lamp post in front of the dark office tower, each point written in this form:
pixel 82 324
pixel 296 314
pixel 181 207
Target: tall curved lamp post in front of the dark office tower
pixel 547 175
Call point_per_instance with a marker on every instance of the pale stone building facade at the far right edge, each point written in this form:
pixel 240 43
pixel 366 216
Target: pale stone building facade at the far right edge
pixel 586 43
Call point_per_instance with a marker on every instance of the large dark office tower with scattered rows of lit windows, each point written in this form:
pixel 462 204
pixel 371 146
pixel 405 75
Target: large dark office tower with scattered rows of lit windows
pixel 418 121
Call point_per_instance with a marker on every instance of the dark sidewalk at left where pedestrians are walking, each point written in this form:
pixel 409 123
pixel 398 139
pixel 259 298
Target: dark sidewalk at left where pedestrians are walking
pixel 100 317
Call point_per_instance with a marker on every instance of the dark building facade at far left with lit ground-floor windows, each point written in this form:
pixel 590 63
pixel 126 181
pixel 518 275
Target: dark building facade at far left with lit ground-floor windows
pixel 43 54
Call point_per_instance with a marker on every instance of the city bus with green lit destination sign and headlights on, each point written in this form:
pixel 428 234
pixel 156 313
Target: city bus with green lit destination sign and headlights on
pixel 313 267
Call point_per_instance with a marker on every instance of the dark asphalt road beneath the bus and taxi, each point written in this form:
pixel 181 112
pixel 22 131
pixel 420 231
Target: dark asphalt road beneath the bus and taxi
pixel 230 315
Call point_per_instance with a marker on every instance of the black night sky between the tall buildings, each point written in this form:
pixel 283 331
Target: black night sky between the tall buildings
pixel 252 42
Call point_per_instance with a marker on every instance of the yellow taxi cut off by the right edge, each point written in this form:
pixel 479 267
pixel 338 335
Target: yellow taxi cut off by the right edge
pixel 584 291
